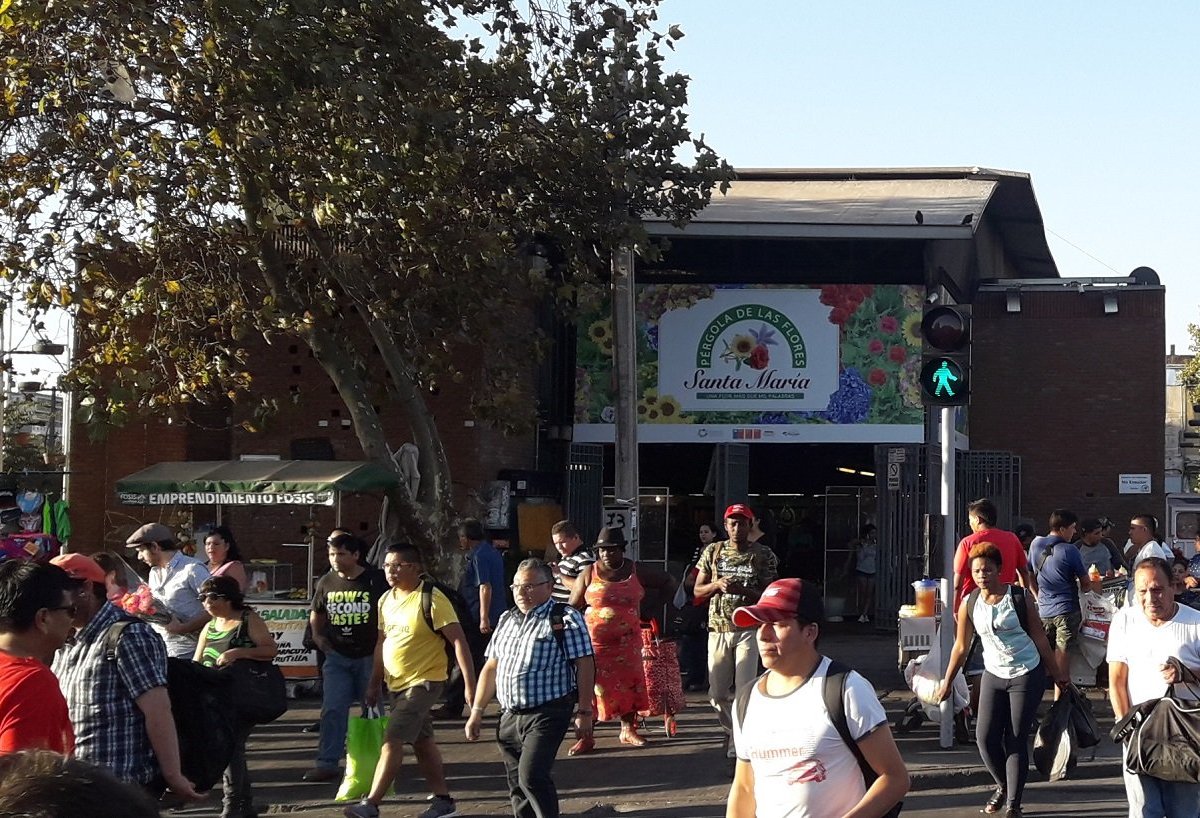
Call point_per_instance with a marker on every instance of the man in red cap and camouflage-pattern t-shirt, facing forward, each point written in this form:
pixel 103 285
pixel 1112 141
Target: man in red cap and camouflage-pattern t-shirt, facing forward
pixel 731 574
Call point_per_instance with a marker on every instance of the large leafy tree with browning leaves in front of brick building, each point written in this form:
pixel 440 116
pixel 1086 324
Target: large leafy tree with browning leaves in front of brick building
pixel 347 175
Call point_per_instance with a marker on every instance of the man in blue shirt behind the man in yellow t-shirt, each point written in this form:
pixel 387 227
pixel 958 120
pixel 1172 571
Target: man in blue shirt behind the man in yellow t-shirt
pixel 483 591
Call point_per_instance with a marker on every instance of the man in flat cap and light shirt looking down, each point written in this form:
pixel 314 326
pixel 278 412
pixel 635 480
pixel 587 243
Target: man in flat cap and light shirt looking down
pixel 176 581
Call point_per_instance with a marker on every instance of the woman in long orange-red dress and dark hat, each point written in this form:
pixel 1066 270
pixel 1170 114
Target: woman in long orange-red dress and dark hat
pixel 614 590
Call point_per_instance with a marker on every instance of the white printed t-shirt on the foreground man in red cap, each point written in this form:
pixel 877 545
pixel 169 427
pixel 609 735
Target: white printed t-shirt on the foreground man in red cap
pixel 802 768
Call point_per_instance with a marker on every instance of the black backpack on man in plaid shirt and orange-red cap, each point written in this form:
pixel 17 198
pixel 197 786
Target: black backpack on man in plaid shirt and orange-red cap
pixel 201 711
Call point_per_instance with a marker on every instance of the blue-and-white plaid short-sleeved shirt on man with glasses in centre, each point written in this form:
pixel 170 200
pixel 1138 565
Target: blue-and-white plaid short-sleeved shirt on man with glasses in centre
pixel 531 667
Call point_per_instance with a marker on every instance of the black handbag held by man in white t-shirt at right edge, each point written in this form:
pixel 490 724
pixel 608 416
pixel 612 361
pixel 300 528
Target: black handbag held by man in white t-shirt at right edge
pixel 1163 736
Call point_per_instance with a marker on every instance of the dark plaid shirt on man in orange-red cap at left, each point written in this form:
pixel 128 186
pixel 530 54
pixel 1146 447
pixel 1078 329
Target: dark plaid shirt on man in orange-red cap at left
pixel 101 695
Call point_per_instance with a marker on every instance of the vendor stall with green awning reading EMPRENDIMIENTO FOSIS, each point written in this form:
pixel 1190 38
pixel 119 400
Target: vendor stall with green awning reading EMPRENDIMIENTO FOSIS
pixel 265 484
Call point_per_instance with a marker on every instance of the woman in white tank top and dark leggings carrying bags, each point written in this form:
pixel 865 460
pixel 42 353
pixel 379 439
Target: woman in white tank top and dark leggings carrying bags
pixel 1017 659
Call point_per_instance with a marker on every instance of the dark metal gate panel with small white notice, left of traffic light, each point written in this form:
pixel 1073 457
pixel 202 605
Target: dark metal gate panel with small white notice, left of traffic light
pixel 901 514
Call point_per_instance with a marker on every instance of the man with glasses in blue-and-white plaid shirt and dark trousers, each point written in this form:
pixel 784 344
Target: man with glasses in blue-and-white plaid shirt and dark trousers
pixel 541 667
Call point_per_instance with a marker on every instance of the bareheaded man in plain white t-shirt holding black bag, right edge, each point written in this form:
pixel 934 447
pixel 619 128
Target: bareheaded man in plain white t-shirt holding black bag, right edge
pixel 1142 639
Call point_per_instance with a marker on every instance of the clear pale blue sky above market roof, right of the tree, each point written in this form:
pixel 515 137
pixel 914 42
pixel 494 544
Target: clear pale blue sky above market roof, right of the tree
pixel 1096 101
